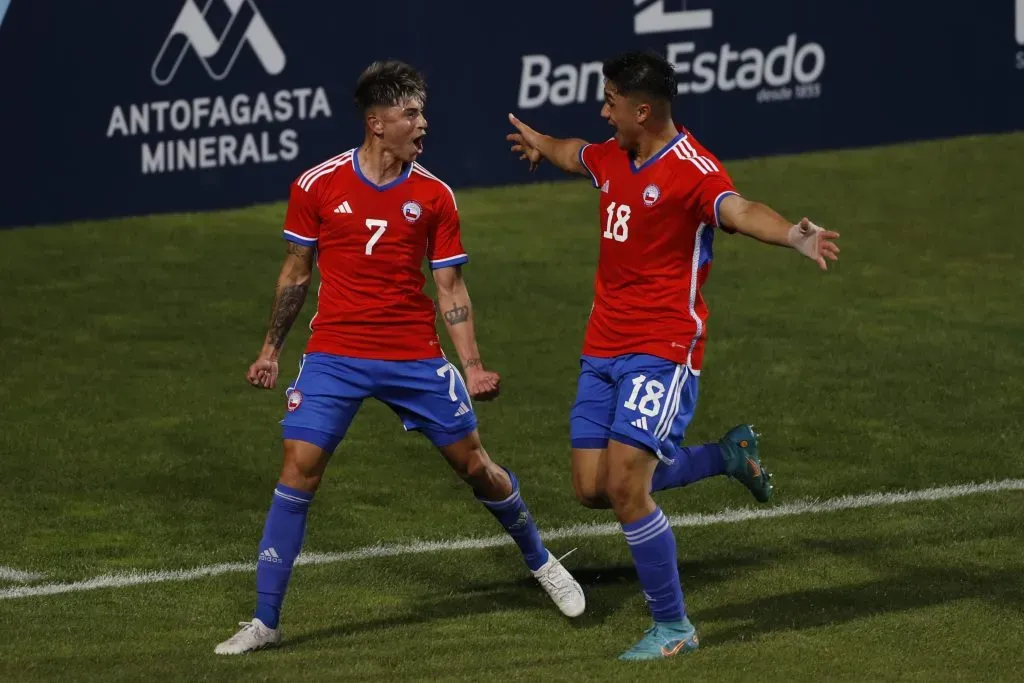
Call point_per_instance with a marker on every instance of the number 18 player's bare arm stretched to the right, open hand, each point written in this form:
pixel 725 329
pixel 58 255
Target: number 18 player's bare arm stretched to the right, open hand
pixel 762 223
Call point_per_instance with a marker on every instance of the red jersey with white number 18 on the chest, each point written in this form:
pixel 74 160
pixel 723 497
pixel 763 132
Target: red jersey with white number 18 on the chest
pixel 658 223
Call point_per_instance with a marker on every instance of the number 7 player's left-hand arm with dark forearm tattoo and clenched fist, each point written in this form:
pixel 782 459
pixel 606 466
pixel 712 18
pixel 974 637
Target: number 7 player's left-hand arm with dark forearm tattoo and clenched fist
pixel 291 294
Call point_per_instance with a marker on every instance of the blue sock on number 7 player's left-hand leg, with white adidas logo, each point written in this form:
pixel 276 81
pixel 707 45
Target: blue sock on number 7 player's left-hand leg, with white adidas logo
pixel 283 535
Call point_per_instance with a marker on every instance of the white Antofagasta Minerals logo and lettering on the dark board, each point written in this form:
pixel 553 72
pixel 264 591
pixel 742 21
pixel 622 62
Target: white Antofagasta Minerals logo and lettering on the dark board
pixel 268 120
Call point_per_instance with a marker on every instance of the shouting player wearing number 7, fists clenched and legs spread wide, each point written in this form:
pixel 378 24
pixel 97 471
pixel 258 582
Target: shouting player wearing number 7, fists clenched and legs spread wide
pixel 368 219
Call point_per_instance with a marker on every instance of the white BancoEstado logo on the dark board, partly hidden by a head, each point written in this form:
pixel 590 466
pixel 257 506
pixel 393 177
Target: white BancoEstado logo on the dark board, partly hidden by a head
pixel 787 71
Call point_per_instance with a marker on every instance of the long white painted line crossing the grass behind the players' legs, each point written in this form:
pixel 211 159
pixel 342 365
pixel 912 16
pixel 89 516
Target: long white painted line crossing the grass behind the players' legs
pixel 797 508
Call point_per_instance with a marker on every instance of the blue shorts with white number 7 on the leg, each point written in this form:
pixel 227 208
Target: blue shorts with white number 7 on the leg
pixel 428 396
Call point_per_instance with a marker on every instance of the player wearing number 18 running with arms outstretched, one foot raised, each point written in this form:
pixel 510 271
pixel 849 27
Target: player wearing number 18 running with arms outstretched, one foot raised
pixel 664 197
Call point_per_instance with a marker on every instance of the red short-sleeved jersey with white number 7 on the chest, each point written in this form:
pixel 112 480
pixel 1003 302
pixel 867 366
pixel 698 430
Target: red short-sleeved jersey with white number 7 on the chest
pixel 371 242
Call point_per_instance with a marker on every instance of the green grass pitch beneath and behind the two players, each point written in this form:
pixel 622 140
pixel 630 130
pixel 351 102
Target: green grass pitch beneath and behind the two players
pixel 132 442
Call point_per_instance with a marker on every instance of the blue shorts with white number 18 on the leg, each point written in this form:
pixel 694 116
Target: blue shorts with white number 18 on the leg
pixel 638 400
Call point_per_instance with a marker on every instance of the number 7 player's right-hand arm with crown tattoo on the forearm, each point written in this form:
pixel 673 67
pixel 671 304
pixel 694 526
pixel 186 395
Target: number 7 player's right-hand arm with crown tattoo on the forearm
pixel 457 310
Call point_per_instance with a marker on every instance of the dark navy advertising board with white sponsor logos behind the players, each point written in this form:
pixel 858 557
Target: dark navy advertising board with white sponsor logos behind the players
pixel 126 108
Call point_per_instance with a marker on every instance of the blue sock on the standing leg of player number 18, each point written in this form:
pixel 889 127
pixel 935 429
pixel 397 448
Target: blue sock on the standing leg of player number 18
pixel 654 548
